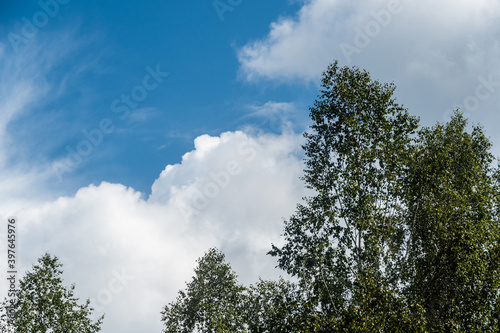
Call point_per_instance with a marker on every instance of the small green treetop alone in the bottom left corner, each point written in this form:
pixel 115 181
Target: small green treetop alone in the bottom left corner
pixel 43 303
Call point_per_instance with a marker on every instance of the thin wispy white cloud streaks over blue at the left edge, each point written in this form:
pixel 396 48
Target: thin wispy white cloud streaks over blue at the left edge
pixel 25 87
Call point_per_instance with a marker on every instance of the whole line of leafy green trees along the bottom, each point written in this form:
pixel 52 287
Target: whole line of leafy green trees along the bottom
pixel 401 235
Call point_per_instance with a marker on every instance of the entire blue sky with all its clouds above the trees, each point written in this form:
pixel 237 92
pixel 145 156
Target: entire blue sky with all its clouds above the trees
pixel 135 135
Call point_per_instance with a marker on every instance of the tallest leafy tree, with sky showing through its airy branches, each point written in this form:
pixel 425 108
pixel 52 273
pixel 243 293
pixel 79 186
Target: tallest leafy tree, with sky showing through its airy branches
pixel 343 244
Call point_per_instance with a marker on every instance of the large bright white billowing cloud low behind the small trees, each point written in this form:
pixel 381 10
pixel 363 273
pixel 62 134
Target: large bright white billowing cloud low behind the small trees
pixel 130 255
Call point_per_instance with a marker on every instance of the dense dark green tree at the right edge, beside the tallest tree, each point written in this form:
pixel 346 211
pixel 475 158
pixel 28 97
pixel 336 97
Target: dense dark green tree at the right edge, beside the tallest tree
pixel 453 229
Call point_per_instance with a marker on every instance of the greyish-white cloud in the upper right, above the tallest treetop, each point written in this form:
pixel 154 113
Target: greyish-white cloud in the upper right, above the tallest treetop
pixel 439 53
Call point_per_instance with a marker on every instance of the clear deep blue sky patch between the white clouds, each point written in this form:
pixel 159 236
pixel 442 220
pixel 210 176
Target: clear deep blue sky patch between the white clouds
pixel 106 51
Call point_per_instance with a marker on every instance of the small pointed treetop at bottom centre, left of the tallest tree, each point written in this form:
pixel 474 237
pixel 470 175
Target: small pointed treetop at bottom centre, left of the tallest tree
pixel 212 302
